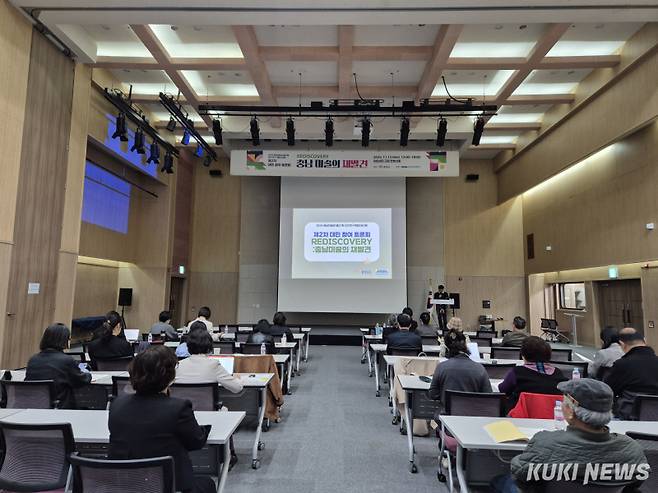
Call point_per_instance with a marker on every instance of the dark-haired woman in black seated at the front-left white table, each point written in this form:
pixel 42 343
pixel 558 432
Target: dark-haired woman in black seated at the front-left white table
pixel 150 424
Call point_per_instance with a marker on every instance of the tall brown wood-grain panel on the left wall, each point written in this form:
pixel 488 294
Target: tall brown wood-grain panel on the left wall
pixel 40 203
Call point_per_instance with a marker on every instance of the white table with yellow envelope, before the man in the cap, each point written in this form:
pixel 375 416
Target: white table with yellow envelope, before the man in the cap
pixel 470 434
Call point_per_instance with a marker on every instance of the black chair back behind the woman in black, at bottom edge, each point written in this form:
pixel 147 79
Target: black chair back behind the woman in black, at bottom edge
pixel 127 476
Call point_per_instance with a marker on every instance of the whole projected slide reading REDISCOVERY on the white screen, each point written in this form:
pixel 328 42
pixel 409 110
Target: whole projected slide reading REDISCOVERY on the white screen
pixel 341 244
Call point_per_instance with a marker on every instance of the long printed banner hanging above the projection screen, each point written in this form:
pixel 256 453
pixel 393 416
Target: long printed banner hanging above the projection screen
pixel 345 163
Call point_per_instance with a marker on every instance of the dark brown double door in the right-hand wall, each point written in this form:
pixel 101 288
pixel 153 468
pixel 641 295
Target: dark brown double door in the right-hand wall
pixel 620 304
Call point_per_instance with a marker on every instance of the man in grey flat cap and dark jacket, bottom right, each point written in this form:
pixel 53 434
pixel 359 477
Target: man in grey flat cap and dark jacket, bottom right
pixel 587 409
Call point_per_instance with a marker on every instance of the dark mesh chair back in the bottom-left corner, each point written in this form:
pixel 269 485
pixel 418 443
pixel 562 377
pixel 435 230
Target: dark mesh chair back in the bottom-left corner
pixel 36 457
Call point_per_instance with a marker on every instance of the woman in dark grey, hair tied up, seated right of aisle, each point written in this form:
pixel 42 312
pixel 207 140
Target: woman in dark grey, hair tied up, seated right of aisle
pixel 459 372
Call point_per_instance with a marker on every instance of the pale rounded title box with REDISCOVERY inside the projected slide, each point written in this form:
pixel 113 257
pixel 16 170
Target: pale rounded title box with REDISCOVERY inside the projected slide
pixel 341 242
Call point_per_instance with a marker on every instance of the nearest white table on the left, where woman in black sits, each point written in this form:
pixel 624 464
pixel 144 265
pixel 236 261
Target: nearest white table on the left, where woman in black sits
pixel 91 427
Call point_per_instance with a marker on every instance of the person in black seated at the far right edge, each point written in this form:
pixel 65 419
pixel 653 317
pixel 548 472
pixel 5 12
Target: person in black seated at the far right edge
pixel 634 373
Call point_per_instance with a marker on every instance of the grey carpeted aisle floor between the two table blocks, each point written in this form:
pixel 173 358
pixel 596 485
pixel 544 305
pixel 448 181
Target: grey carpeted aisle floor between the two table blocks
pixel 335 436
